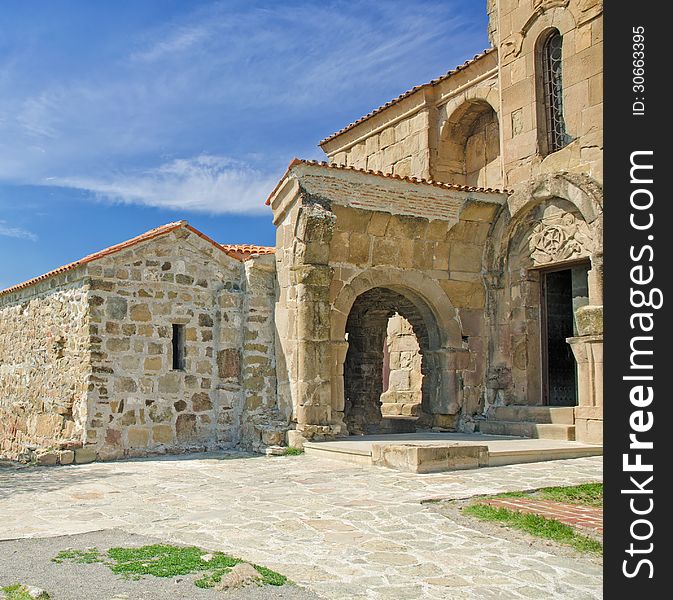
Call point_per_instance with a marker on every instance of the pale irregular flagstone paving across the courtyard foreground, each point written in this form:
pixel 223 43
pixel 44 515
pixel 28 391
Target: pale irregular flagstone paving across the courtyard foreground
pixel 343 531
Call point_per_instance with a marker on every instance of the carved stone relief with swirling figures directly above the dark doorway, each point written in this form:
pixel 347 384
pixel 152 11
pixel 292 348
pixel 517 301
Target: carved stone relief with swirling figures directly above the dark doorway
pixel 559 237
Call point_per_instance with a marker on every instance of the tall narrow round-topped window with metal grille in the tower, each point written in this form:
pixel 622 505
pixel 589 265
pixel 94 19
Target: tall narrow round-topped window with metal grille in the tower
pixel 552 92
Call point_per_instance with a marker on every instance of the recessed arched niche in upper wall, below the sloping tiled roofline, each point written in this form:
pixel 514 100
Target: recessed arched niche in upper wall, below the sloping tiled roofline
pixel 468 151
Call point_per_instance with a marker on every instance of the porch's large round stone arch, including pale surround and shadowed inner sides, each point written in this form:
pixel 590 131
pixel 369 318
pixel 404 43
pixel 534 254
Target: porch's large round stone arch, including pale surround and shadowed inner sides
pixel 361 310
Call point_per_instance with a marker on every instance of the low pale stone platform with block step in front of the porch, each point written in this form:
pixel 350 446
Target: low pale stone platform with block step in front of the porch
pixel 426 452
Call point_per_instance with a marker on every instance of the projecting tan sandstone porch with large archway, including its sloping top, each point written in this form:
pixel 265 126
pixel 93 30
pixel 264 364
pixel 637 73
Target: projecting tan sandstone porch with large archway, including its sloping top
pixel 354 249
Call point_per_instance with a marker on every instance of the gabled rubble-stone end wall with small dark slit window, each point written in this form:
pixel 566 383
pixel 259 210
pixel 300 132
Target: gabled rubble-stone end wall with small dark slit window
pixel 139 403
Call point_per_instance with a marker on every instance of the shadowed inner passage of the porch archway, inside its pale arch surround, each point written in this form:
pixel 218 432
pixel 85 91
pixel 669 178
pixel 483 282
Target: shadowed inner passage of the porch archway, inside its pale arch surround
pixel 366 333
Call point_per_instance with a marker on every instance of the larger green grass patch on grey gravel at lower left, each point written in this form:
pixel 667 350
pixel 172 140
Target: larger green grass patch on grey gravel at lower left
pixel 164 560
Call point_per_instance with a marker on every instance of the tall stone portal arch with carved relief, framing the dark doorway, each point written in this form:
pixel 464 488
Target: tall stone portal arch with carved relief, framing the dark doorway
pixel 554 222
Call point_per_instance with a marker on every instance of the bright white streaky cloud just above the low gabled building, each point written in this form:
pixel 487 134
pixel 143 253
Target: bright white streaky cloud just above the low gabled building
pixel 205 183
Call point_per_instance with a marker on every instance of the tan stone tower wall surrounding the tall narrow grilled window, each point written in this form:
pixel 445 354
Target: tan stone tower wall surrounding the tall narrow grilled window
pixel 520 28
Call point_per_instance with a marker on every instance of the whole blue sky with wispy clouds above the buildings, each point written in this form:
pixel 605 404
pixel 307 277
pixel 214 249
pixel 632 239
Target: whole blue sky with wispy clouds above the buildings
pixel 119 116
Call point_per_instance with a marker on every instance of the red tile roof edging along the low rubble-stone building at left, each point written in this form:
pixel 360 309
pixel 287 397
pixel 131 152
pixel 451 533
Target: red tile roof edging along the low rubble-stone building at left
pixel 236 252
